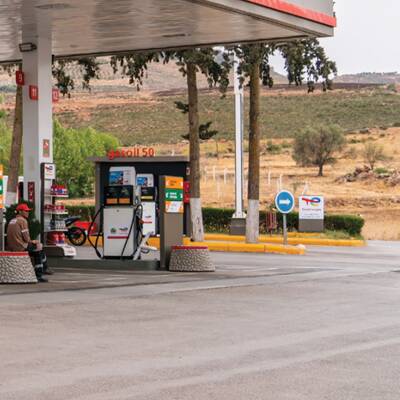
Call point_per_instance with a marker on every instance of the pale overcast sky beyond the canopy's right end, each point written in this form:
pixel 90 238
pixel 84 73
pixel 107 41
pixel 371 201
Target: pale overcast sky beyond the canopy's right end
pixel 367 38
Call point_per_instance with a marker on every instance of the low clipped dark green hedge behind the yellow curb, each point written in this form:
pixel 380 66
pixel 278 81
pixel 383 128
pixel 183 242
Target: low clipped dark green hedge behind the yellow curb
pixel 218 220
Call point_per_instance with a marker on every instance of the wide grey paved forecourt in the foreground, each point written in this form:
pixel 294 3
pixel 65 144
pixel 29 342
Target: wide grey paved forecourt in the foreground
pixel 321 326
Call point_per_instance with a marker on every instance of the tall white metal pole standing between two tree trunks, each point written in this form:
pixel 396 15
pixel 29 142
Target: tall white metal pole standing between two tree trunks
pixel 239 129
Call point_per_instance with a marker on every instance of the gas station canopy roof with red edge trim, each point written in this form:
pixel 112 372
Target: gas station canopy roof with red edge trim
pixel 95 27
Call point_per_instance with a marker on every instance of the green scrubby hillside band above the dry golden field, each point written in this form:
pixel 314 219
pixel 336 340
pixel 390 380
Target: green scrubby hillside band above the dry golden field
pixel 150 118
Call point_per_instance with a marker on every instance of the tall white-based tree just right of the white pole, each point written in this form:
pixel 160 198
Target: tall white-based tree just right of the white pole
pixel 304 58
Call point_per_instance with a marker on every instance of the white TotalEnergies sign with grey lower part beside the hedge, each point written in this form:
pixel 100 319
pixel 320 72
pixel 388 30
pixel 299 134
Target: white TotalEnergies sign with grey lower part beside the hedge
pixel 311 213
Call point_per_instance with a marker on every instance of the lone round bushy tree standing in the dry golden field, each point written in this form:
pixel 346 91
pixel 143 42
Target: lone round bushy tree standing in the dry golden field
pixel 317 146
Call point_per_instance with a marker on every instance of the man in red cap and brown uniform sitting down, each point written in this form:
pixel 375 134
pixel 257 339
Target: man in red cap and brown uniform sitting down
pixel 18 239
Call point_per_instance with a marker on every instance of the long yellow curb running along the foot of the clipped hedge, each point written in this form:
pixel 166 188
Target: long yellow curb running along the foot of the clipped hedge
pixel 291 240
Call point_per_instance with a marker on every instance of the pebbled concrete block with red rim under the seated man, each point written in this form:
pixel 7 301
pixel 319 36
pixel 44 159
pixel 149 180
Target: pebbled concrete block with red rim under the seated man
pixel 16 267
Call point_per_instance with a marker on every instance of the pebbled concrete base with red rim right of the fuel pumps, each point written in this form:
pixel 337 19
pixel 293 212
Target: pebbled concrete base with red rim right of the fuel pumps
pixel 191 259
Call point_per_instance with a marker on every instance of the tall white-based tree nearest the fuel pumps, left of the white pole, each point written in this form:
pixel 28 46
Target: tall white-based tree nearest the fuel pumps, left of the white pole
pixel 191 62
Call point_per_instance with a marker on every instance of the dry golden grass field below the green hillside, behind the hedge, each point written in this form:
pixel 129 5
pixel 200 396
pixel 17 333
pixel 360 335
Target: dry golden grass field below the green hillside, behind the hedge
pixel 372 198
